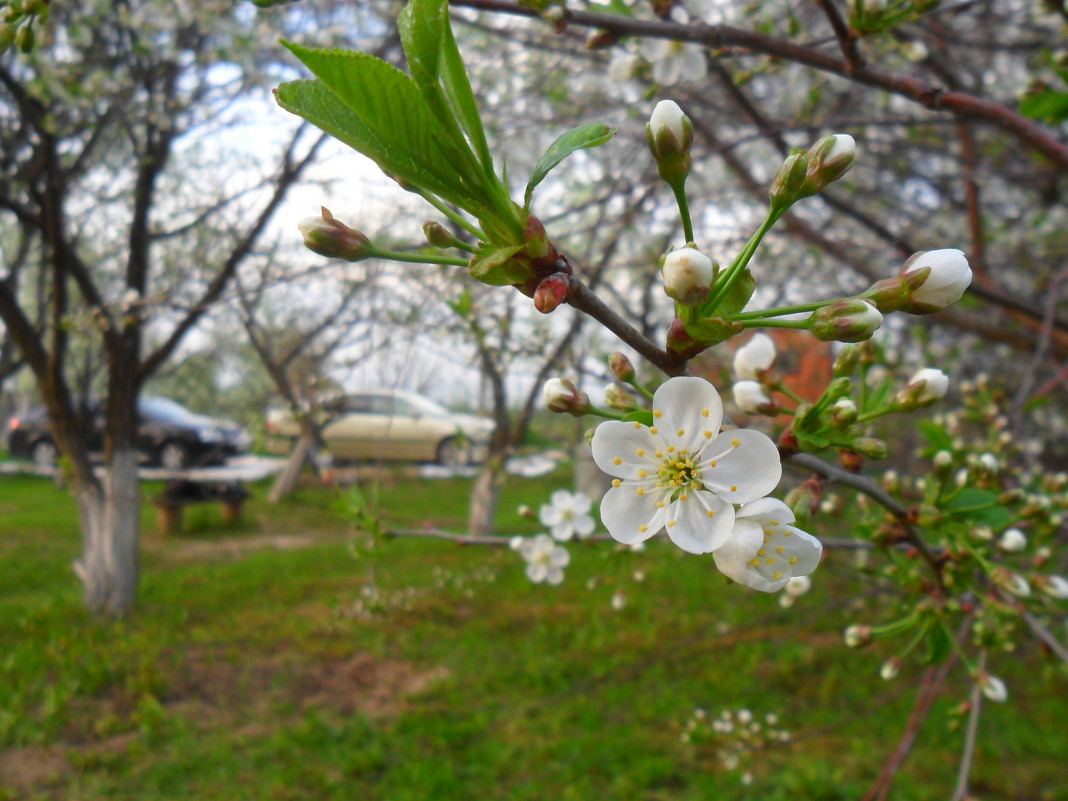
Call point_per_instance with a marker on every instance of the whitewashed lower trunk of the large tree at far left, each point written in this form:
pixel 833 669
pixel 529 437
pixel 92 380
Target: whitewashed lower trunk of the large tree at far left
pixel 111 521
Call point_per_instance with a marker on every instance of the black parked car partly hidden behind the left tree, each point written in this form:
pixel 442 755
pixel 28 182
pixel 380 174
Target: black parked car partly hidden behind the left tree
pixel 169 436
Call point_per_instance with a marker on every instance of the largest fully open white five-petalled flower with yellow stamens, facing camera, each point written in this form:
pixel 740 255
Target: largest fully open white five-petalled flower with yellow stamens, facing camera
pixel 681 474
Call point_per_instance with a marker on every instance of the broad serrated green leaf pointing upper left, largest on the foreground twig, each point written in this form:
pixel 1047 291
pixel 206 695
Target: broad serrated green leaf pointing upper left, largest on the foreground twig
pixel 379 111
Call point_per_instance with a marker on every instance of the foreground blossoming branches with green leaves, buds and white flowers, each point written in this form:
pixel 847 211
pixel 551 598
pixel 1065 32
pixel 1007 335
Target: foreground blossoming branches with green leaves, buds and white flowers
pixel 679 464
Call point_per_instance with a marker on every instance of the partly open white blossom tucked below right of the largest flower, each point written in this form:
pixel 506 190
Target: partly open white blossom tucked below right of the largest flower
pixel 766 552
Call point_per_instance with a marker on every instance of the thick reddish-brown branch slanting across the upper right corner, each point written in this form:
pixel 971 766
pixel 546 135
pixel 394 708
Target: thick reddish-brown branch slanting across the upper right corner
pixel 928 96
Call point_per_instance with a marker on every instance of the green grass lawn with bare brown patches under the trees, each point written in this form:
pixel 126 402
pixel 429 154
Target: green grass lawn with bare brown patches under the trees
pixel 284 658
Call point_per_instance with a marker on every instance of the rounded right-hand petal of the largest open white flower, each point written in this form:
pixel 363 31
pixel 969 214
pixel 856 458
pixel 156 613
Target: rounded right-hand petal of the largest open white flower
pixel 744 473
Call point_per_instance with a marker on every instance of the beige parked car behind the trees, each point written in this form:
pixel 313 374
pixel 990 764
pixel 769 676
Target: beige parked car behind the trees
pixel 394 426
